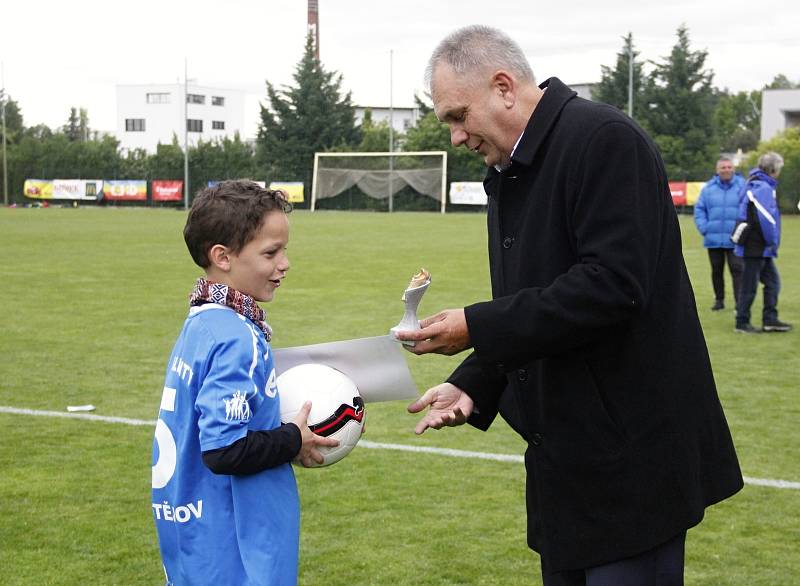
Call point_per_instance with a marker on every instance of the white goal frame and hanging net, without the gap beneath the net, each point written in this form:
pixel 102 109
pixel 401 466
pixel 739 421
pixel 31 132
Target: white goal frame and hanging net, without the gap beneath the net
pixel 380 175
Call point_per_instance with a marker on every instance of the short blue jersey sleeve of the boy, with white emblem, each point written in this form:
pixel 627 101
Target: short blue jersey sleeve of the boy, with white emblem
pixel 228 393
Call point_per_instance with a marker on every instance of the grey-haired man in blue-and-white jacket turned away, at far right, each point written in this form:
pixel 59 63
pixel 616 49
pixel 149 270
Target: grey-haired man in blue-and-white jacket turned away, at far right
pixel 757 237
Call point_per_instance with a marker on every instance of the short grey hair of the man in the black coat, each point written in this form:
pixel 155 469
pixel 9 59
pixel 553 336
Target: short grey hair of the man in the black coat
pixel 477 47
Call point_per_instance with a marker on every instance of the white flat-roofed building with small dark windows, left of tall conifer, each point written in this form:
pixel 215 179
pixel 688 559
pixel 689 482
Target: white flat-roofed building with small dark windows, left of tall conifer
pixel 148 114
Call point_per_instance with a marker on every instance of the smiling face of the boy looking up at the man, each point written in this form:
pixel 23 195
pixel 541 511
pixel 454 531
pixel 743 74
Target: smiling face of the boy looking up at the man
pixel 260 266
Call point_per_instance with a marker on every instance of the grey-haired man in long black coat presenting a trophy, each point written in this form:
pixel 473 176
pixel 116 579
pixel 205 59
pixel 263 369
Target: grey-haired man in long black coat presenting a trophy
pixel 591 347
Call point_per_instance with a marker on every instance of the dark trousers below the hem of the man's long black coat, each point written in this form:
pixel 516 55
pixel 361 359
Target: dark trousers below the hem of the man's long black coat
pixel 660 566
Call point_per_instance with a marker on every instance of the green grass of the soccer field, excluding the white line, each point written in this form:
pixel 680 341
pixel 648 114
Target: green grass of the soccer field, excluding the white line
pixel 93 299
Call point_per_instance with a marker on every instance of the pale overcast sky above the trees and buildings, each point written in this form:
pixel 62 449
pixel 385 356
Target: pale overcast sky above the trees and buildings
pixel 60 54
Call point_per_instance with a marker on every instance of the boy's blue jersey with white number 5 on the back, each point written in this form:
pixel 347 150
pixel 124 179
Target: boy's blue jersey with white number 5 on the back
pixel 220 529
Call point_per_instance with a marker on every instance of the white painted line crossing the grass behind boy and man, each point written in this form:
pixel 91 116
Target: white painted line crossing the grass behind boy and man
pixel 769 482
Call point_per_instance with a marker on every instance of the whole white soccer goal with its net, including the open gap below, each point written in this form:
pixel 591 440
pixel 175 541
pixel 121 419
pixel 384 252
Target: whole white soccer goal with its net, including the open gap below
pixel 380 181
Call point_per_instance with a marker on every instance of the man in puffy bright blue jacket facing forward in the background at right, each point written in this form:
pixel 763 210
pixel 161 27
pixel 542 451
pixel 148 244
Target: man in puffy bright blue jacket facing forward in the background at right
pixel 715 216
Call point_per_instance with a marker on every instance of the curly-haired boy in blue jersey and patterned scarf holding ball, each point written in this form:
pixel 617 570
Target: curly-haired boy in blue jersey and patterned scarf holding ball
pixel 225 500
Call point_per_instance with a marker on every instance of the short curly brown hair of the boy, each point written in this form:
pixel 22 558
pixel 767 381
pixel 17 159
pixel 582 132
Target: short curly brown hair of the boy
pixel 230 213
